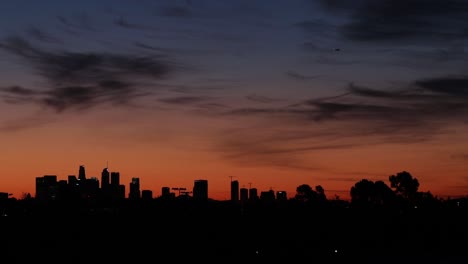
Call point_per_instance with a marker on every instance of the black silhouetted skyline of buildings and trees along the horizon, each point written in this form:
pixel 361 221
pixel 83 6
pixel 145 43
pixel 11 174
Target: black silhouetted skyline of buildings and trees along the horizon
pixel 109 187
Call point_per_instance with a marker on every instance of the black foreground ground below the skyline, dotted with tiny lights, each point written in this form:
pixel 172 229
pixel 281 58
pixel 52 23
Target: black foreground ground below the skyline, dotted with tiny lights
pixel 228 236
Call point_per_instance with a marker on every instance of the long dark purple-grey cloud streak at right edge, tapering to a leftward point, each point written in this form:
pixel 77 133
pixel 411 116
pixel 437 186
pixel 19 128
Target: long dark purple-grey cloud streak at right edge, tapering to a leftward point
pixel 424 100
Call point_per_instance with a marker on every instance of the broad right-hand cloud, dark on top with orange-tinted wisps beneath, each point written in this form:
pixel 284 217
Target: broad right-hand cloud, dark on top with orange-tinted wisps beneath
pixel 360 116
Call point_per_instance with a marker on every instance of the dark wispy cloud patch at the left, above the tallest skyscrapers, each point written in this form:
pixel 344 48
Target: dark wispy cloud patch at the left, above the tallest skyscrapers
pixel 81 80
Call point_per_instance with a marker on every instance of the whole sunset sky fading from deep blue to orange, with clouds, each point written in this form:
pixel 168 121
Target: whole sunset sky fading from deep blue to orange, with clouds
pixel 274 93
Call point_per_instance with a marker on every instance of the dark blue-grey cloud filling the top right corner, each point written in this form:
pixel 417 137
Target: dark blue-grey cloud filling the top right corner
pixel 410 21
